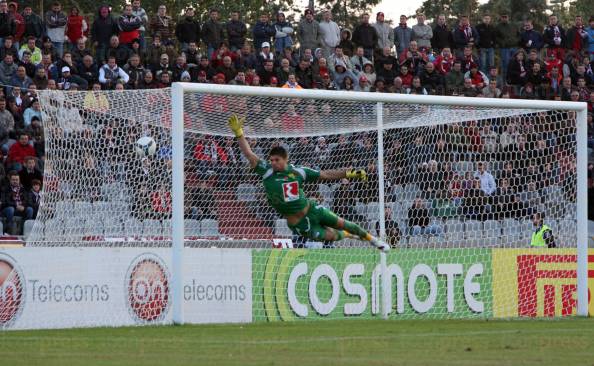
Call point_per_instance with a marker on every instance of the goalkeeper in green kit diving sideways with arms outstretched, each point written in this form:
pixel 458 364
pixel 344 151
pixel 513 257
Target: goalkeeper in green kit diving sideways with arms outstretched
pixel 283 184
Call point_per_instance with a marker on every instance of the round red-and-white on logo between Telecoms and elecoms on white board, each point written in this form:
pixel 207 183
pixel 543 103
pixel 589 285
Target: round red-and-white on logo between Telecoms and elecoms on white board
pixel 147 288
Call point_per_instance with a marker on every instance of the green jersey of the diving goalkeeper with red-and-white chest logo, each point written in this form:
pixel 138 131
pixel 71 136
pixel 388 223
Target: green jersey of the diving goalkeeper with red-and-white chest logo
pixel 284 190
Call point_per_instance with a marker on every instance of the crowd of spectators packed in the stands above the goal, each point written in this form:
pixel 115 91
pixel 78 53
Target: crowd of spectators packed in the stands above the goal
pixel 148 49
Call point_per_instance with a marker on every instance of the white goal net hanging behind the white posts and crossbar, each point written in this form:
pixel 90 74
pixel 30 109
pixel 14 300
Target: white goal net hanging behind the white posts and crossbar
pixel 454 189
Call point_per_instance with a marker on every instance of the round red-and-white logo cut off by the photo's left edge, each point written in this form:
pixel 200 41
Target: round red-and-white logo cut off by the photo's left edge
pixel 12 291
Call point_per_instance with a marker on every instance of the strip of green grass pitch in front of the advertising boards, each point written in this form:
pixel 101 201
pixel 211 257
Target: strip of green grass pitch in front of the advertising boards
pixel 356 342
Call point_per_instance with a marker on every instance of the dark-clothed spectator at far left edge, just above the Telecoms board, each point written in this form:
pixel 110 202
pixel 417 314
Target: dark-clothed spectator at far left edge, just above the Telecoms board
pixel 14 202
